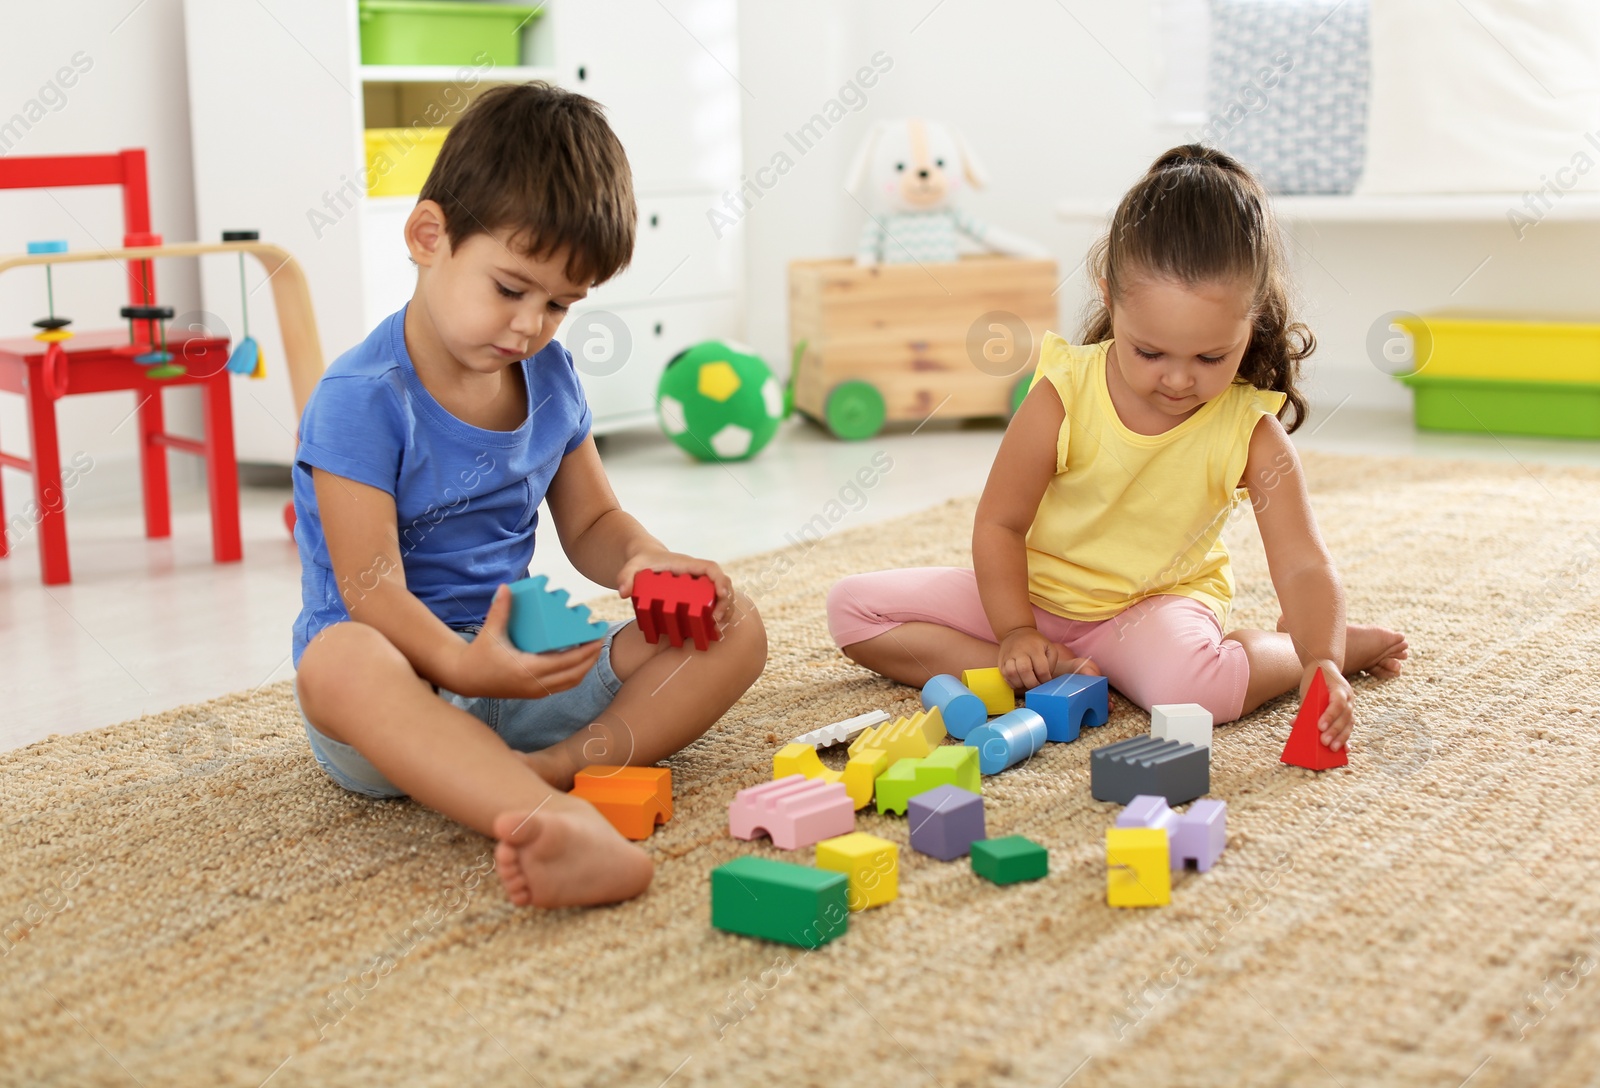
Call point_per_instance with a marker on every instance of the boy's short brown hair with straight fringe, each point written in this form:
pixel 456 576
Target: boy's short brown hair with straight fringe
pixel 545 164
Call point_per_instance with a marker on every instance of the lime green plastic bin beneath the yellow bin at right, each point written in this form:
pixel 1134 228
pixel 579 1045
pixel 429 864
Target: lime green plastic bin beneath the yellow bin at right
pixel 1486 406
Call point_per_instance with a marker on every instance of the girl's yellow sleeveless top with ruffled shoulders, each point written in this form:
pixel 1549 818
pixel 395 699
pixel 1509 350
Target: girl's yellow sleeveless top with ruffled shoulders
pixel 1132 516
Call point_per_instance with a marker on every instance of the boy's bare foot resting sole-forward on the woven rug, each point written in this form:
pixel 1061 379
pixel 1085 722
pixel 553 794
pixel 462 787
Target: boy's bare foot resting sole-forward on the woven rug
pixel 567 855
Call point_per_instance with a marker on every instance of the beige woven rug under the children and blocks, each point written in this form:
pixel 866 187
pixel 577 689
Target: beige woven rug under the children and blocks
pixel 190 902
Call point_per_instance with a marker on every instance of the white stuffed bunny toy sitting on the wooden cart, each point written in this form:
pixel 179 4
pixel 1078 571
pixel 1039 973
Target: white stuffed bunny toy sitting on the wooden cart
pixel 914 170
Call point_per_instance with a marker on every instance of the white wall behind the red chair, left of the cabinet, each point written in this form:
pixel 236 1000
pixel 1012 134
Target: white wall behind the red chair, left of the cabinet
pixel 135 94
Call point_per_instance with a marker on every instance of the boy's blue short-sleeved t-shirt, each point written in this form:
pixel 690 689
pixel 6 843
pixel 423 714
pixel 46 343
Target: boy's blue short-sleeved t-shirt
pixel 466 498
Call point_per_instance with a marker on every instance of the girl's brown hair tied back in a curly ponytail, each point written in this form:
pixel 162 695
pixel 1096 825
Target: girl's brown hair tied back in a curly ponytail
pixel 1199 217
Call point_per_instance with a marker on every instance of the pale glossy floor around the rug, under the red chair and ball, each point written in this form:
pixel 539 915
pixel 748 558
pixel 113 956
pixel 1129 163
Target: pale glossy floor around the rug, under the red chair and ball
pixel 153 625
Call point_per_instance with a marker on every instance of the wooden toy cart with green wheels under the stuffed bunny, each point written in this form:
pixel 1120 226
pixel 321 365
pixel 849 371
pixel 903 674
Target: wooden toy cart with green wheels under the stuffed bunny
pixel 906 343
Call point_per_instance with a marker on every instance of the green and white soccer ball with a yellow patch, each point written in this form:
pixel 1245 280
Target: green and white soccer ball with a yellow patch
pixel 719 402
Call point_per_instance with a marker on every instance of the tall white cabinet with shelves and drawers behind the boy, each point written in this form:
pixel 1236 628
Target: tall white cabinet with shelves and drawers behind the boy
pixel 279 103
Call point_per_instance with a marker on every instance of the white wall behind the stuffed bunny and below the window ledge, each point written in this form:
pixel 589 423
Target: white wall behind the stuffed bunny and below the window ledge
pixel 1058 102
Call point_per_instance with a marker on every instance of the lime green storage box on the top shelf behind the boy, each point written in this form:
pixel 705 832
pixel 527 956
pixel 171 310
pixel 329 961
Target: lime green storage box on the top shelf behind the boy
pixel 442 33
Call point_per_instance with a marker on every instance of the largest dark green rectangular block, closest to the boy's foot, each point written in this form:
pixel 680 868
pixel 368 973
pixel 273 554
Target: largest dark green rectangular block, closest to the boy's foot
pixel 774 900
